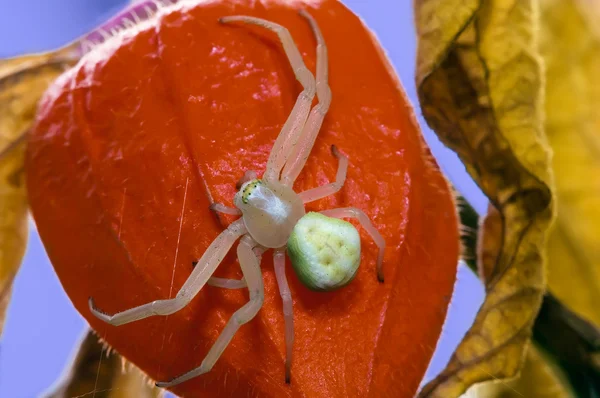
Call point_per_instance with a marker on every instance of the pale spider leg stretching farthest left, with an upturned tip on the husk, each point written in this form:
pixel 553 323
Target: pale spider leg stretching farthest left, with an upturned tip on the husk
pixel 198 278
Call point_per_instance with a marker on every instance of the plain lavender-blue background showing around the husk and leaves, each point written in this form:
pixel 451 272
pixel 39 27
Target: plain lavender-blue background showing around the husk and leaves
pixel 42 327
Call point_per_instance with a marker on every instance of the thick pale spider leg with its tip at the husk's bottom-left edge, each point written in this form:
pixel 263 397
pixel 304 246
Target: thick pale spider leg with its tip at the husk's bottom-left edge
pixel 252 274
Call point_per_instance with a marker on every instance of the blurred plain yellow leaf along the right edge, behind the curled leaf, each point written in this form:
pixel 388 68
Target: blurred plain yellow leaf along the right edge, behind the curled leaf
pixel 570 45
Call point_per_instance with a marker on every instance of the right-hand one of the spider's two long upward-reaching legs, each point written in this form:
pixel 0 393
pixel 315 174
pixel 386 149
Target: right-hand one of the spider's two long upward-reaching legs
pixel 302 149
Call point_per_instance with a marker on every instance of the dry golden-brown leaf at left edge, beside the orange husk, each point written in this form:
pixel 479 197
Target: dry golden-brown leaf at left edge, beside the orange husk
pixel 22 82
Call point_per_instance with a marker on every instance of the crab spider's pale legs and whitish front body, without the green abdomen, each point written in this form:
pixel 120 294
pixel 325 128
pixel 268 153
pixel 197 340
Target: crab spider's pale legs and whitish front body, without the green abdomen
pixel 269 208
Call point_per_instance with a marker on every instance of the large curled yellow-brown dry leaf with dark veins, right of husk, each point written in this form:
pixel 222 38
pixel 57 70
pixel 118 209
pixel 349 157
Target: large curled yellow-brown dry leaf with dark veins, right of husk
pixel 479 83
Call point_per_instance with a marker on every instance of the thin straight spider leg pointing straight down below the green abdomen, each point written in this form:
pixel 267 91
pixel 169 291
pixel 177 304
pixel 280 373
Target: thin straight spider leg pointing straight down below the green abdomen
pixel 288 316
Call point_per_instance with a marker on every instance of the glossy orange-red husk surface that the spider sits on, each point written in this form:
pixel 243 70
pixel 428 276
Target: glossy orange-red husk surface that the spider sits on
pixel 133 144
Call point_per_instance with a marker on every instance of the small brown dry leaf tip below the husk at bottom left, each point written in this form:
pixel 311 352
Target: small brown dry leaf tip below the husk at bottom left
pixel 98 372
